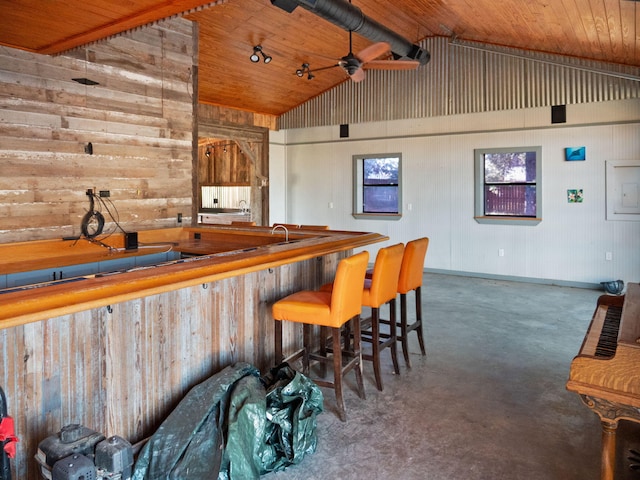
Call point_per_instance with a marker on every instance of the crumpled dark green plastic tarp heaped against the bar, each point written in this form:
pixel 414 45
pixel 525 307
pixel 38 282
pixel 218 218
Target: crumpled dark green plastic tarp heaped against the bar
pixel 235 426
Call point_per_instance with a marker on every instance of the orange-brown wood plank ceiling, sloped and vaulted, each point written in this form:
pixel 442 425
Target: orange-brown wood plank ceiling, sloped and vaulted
pixel 603 30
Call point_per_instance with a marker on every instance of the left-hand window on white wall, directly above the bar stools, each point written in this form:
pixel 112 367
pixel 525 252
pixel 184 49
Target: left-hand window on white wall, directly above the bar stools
pixel 377 186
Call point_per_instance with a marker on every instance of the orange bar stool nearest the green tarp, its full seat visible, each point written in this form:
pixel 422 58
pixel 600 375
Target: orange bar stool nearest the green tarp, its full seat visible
pixel 328 309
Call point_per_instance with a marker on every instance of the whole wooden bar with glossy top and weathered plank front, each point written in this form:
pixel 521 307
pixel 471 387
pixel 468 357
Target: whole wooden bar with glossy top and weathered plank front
pixel 116 350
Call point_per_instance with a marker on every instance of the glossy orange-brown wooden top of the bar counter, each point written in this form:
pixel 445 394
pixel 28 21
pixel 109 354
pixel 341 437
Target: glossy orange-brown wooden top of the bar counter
pixel 207 254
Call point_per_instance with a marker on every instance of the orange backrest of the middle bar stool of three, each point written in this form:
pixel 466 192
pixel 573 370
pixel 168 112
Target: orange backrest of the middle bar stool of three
pixel 384 281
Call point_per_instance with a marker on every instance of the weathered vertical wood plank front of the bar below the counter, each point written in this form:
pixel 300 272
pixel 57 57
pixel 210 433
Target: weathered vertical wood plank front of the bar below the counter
pixel 122 372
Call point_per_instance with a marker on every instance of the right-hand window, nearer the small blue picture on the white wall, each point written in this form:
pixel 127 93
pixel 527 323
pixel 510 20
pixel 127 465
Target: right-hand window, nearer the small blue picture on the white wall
pixel 508 185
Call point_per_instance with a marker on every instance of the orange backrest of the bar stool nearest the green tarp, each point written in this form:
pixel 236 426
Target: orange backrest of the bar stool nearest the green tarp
pixel 346 296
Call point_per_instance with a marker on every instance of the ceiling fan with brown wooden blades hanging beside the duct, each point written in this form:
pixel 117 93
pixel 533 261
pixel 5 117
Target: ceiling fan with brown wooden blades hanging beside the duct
pixel 369 59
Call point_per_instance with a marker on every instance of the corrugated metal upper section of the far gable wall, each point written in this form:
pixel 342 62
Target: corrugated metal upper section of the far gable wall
pixel 467 78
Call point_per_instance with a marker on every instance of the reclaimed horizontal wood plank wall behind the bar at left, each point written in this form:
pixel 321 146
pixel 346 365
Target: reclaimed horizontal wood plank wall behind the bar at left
pixel 139 120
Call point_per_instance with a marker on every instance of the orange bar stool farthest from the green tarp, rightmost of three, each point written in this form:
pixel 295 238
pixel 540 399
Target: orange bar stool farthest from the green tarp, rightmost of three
pixel 410 279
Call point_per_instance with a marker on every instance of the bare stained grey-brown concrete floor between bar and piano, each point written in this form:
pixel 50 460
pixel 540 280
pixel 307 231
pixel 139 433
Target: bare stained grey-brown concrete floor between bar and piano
pixel 487 402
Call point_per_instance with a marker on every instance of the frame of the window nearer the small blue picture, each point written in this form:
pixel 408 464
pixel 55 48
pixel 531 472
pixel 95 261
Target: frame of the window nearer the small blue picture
pixel 480 216
